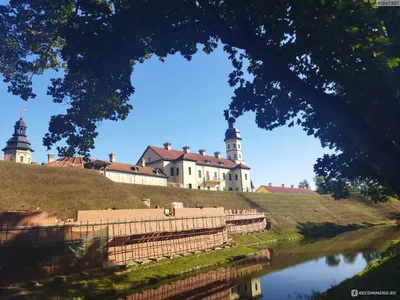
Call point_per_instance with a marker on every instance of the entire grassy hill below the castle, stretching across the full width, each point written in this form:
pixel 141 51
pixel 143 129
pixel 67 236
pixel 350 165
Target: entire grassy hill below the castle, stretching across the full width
pixel 67 190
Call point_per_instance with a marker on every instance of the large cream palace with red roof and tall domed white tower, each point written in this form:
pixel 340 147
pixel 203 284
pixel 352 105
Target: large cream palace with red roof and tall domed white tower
pixel 201 171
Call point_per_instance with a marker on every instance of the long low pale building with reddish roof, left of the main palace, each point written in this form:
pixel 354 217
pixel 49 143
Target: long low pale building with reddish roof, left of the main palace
pixel 118 172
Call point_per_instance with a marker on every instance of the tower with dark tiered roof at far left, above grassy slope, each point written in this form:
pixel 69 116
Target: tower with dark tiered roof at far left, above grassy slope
pixel 18 146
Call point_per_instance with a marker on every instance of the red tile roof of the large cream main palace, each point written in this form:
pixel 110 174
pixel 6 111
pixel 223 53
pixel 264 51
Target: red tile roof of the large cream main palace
pixel 198 158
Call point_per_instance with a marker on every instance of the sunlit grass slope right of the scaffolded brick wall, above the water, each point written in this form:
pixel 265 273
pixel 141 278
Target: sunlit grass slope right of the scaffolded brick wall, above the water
pixel 303 212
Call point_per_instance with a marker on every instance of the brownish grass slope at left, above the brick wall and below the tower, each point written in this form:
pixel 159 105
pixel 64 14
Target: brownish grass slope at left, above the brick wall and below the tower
pixel 63 190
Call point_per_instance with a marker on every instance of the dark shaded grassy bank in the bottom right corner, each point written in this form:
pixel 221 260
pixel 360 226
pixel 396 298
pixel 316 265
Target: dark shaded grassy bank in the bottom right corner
pixel 380 275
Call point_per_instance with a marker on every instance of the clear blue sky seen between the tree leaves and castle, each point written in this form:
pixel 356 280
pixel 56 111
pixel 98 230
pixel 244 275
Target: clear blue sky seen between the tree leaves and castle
pixel 180 102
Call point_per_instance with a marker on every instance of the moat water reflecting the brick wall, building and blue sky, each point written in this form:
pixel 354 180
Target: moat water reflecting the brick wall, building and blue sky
pixel 285 270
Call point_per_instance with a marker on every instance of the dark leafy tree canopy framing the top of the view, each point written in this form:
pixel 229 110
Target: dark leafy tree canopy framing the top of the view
pixel 331 67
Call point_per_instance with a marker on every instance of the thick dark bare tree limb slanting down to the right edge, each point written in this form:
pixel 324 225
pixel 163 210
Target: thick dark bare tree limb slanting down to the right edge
pixel 332 108
